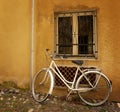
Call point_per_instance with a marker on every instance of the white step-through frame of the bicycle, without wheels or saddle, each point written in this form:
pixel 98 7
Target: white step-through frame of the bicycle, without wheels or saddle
pixel 72 85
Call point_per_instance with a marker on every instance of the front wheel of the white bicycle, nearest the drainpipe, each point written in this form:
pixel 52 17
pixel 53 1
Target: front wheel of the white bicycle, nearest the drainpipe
pixel 42 85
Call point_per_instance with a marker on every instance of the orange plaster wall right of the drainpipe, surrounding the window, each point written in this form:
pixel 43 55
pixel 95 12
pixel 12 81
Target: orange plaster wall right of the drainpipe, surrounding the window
pixel 108 34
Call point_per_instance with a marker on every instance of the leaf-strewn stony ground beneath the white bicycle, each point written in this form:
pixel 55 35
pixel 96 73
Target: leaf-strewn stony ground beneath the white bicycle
pixel 14 99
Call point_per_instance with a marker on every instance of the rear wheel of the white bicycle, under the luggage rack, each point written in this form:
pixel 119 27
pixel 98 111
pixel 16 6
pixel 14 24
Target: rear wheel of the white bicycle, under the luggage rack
pixel 94 88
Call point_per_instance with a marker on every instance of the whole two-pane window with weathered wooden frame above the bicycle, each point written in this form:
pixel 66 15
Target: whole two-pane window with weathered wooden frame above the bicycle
pixel 76 34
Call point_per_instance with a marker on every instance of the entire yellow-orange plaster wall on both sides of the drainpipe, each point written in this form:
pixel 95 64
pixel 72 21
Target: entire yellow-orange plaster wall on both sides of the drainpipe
pixel 15 33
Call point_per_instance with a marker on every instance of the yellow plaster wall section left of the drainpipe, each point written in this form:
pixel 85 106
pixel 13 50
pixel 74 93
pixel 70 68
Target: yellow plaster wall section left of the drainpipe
pixel 15 40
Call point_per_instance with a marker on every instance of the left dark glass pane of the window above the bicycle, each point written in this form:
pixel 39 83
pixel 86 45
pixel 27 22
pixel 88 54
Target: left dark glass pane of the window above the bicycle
pixel 65 35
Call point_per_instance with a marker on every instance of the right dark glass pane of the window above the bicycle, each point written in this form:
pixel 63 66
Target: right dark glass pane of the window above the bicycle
pixel 85 34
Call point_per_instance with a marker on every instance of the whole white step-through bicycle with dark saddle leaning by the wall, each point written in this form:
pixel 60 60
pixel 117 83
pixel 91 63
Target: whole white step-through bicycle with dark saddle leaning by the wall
pixel 92 91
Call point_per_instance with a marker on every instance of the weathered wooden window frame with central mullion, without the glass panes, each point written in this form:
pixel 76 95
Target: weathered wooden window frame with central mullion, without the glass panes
pixel 74 16
